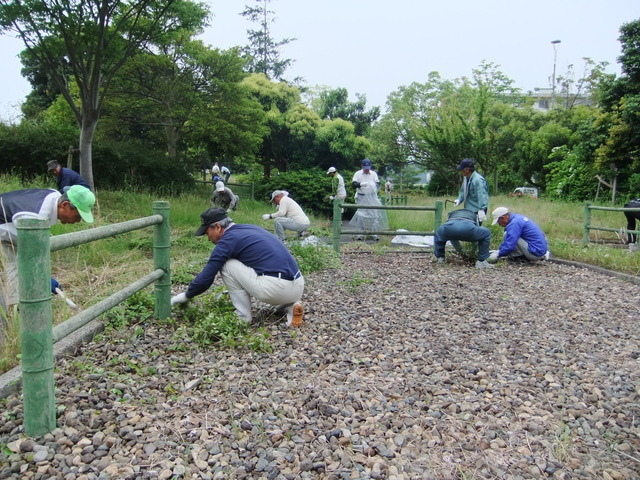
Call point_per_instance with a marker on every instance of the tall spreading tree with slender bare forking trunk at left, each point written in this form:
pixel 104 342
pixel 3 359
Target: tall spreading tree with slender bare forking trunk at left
pixel 86 44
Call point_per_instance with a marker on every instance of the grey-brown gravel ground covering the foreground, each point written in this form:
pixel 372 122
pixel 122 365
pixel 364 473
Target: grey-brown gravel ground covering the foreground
pixel 403 369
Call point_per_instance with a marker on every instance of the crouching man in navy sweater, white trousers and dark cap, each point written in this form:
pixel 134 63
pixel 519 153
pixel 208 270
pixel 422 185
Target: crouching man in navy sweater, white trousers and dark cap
pixel 252 263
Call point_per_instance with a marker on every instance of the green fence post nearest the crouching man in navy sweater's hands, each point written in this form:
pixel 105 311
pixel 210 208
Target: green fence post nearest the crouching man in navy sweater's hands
pixel 162 260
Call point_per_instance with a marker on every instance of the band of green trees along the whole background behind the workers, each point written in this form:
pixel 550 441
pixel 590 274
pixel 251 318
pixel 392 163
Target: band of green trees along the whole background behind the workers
pixel 146 103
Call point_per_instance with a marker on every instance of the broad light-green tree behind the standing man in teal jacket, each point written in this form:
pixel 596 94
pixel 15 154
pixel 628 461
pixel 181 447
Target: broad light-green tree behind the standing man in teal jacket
pixel 438 123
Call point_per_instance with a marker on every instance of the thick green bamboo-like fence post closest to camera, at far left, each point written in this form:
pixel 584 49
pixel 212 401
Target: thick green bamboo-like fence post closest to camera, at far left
pixel 36 326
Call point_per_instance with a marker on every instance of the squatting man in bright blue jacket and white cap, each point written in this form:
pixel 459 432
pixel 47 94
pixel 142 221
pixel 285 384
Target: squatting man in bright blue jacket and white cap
pixel 522 237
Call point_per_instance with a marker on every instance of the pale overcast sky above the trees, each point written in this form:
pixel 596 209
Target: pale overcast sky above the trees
pixel 375 46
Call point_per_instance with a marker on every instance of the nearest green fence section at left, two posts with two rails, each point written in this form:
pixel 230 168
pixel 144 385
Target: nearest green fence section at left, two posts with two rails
pixel 36 323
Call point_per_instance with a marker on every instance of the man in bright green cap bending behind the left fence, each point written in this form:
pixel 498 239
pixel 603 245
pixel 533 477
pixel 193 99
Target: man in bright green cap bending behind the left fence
pixel 46 204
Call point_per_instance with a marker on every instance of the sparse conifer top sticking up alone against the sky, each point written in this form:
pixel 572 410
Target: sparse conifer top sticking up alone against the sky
pixel 263 50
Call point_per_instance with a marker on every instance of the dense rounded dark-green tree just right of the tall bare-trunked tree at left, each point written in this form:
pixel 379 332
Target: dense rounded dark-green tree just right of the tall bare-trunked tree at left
pixel 186 96
